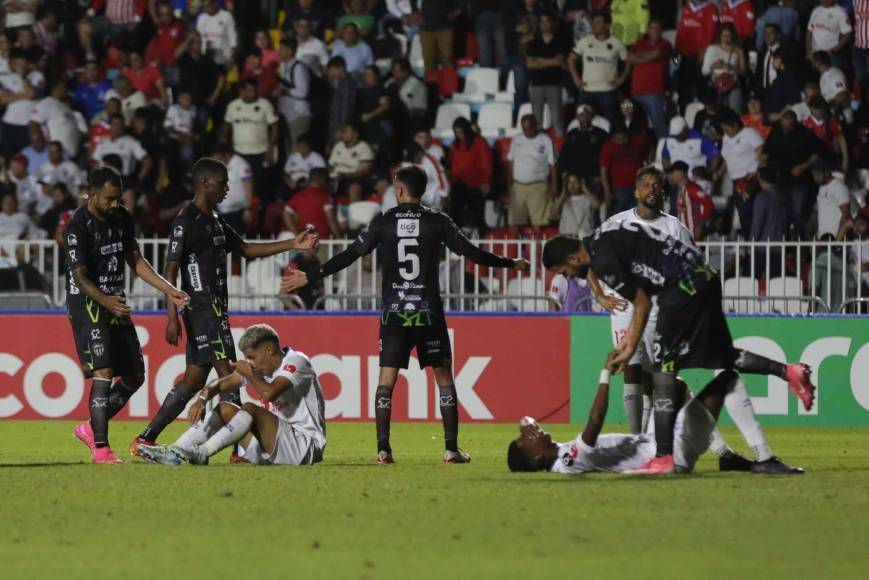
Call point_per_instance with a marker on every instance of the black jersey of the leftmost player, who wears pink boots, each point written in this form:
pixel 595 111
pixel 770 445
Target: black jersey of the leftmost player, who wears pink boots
pixel 100 246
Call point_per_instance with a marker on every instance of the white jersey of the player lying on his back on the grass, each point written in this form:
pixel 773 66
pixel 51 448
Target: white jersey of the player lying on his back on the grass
pixel 614 453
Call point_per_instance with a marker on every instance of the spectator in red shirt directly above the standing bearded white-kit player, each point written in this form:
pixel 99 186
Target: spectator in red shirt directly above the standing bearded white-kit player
pixel 620 159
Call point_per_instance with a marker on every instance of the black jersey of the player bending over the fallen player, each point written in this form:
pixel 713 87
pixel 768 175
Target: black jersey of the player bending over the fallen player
pixel 630 255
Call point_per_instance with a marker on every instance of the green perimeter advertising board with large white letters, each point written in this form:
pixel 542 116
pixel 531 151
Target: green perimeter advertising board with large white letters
pixel 836 348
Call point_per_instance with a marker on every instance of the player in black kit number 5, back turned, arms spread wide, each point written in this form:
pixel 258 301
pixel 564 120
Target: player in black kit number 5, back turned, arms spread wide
pixel 410 237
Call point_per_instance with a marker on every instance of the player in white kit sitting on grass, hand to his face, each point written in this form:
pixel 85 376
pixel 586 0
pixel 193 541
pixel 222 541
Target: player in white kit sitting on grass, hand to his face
pixel 289 430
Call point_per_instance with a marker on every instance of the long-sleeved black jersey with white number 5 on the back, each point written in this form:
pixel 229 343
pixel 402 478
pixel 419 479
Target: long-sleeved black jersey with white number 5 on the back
pixel 410 238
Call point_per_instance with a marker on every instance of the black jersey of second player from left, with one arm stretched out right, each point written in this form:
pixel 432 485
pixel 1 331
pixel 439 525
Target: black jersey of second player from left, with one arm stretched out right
pixel 199 242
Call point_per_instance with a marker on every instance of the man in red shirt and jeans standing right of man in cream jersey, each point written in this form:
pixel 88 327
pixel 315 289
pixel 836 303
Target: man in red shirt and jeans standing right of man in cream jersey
pixel 650 57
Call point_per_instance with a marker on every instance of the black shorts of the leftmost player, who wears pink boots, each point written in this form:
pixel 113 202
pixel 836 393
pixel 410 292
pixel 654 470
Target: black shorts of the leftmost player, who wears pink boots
pixel 104 341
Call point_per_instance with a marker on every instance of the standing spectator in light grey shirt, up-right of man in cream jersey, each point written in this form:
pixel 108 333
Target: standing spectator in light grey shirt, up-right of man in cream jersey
pixel 294 79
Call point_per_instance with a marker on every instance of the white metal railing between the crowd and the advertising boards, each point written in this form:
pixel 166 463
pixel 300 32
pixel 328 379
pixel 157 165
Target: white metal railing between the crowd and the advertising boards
pixel 757 277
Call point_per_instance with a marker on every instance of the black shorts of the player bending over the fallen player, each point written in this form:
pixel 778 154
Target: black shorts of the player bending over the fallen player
pixel 692 330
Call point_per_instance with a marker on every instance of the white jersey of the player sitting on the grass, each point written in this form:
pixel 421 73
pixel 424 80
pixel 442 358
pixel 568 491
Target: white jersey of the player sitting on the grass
pixel 302 405
